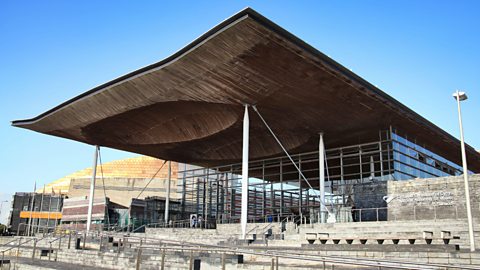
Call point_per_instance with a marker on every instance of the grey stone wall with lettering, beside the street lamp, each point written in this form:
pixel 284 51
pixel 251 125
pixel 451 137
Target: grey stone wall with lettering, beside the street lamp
pixel 434 198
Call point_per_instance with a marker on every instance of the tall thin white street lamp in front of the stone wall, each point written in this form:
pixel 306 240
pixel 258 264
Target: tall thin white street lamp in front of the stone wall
pixel 460 96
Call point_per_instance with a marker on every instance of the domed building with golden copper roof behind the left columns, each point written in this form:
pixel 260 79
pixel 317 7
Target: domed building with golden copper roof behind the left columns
pixel 124 188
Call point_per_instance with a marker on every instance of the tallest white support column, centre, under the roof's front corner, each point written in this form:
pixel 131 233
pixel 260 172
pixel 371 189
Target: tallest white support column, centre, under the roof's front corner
pixel 244 216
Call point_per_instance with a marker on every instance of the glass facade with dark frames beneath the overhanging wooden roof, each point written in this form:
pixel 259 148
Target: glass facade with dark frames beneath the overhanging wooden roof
pixel 354 174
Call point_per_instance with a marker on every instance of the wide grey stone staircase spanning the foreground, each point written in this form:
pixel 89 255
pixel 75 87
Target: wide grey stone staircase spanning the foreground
pixel 283 245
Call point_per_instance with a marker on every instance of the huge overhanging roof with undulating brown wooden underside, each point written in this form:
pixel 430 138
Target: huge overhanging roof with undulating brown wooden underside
pixel 189 107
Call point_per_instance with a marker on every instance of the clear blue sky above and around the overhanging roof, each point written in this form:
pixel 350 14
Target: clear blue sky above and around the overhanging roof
pixel 419 52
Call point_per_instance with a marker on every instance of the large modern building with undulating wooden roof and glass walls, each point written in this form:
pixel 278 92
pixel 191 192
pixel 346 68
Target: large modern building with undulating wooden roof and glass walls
pixel 309 133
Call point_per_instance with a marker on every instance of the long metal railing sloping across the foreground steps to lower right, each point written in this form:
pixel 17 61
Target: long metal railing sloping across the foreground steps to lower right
pixel 140 244
